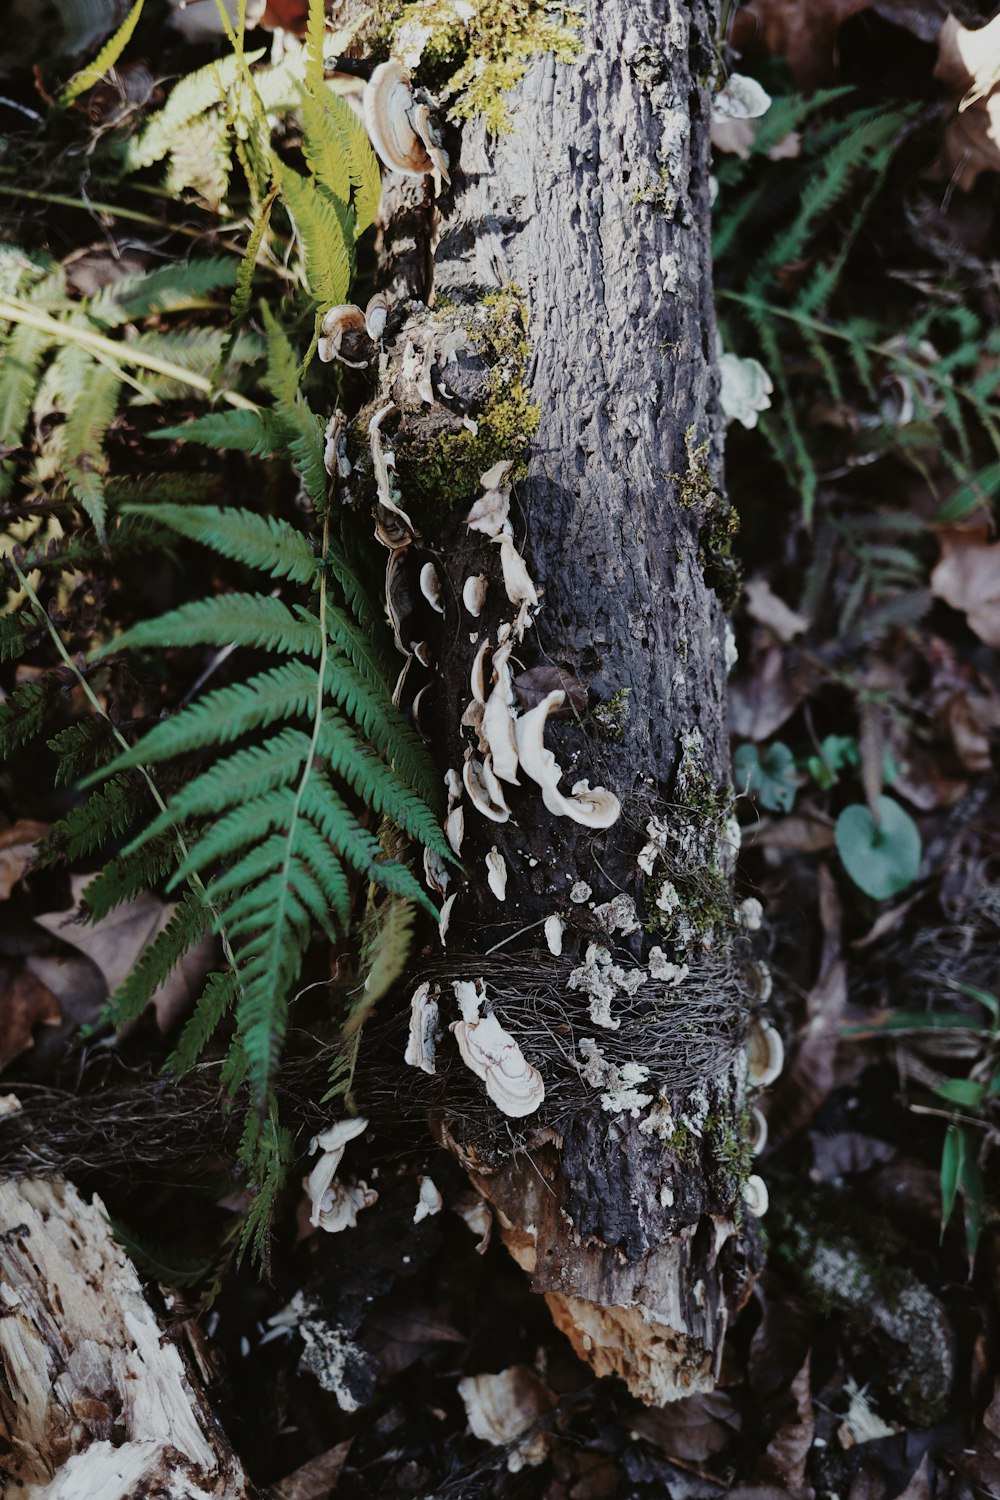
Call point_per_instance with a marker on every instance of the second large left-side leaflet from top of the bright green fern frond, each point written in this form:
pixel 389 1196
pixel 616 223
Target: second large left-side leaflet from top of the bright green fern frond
pixel 244 620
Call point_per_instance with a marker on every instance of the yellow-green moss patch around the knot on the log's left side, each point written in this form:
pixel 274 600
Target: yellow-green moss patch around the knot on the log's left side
pixel 443 473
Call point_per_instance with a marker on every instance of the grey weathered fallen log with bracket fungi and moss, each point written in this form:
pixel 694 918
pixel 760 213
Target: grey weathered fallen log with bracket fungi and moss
pixel 623 1193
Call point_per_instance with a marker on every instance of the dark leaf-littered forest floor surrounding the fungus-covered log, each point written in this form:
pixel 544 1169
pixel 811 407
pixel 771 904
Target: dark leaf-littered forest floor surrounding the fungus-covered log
pixel 866 709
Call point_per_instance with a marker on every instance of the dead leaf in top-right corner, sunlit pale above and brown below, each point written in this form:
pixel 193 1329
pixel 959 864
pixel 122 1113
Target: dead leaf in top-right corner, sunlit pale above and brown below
pixel 969 67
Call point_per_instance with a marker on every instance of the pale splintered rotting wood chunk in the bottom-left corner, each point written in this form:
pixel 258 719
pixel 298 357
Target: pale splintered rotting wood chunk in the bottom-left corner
pixel 95 1400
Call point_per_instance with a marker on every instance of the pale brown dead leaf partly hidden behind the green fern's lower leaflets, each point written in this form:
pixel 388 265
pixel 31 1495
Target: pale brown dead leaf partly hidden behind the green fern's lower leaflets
pixel 118 941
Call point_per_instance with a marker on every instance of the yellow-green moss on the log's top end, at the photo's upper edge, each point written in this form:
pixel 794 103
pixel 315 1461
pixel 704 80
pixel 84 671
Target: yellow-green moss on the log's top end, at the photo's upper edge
pixel 475 59
